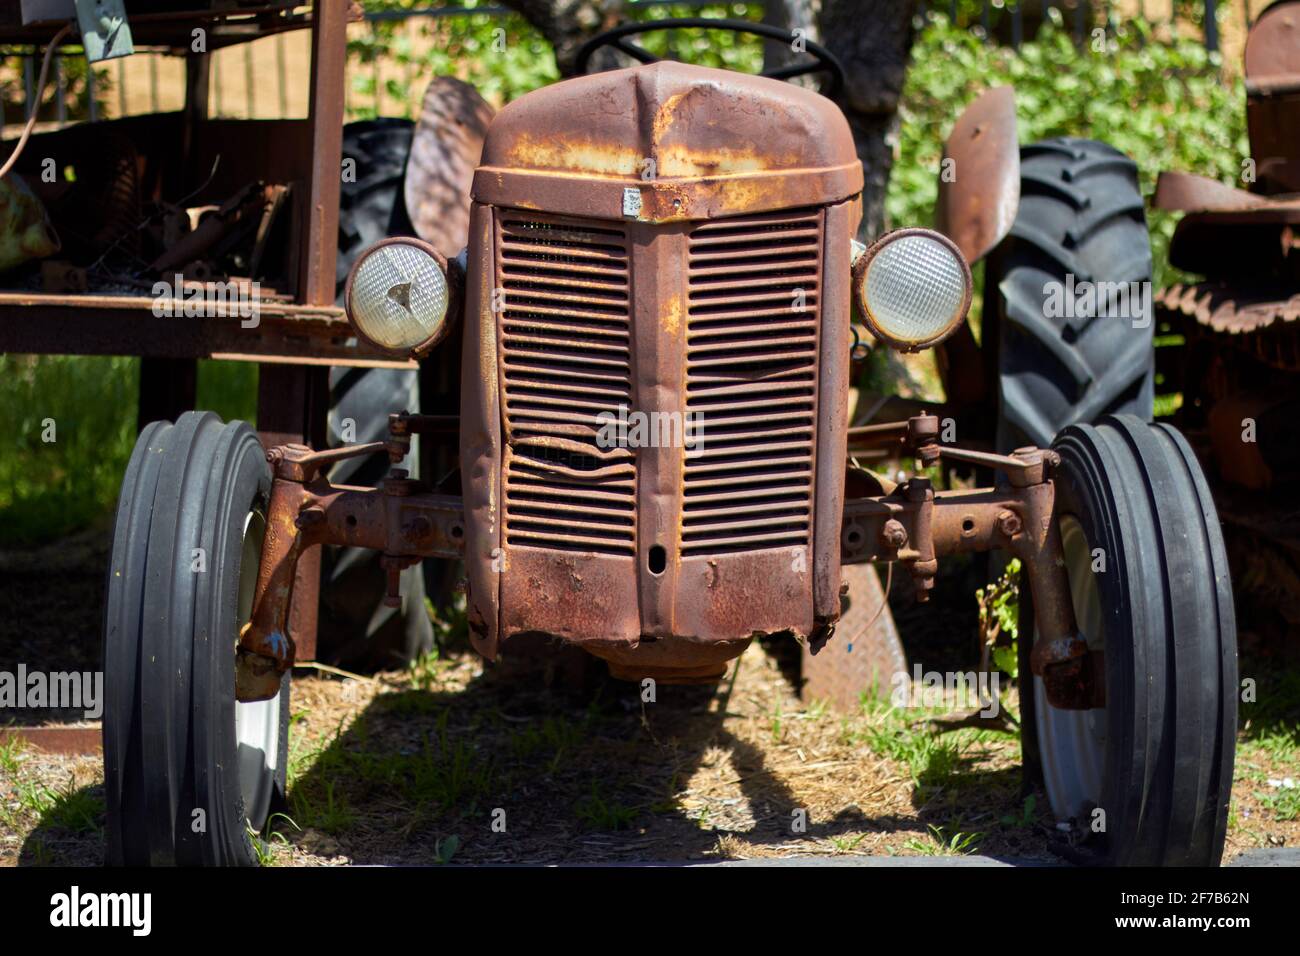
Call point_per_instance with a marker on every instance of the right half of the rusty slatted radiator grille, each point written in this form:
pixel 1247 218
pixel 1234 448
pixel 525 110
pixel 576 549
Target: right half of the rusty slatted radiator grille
pixel 752 375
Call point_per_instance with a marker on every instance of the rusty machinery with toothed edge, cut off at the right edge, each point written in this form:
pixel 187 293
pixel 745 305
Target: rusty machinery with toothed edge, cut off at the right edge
pixel 1240 366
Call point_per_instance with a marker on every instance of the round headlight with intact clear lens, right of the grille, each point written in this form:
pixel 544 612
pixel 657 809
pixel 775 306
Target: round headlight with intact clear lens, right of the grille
pixel 913 288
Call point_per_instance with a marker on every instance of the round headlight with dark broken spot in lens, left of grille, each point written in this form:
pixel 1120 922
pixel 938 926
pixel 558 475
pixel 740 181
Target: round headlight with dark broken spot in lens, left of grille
pixel 397 296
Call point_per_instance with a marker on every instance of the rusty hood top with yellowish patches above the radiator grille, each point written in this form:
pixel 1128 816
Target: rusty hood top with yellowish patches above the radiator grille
pixel 682 136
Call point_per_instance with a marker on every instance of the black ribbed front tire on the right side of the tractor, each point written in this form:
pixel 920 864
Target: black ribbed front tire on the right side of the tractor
pixel 1147 778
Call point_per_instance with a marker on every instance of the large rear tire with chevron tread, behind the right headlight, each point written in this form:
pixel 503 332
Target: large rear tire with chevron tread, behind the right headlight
pixel 1080 226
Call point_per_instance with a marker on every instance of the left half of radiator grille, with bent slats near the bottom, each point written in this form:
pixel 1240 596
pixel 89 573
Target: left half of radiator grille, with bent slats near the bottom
pixel 566 357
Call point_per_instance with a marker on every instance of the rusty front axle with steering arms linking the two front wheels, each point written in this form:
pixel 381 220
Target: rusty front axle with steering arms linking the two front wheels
pixel 909 525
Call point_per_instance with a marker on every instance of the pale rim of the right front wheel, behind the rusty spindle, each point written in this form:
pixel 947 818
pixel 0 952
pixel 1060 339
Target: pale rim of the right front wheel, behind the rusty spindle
pixel 1073 743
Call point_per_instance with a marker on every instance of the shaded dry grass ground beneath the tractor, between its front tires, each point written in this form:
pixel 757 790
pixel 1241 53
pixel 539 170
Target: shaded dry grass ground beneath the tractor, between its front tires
pixel 385 776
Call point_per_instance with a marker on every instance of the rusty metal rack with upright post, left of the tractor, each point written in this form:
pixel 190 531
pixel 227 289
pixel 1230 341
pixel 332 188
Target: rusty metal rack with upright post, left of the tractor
pixel 300 334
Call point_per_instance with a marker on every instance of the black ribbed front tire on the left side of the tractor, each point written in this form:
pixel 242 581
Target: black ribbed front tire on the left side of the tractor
pixel 190 775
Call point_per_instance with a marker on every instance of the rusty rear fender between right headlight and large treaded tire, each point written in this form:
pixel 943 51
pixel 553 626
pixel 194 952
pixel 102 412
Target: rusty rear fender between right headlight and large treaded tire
pixel 980 180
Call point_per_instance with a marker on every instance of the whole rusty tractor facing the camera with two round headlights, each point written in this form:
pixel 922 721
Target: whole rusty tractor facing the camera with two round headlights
pixel 657 300
